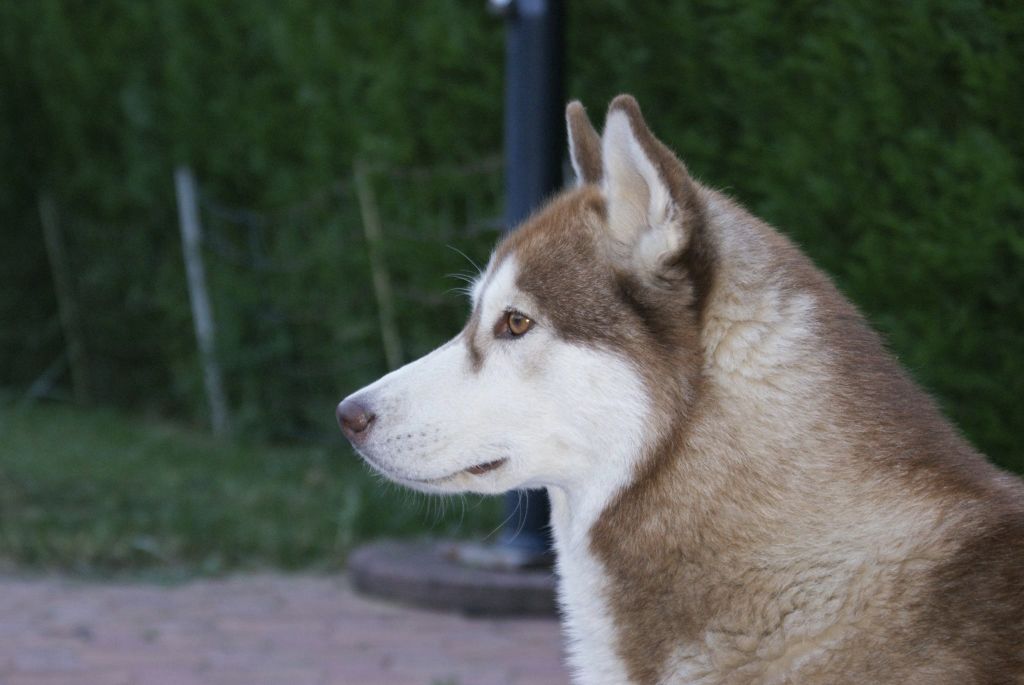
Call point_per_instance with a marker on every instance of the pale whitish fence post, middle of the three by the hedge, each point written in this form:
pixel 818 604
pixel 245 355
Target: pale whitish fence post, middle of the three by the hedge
pixel 192 238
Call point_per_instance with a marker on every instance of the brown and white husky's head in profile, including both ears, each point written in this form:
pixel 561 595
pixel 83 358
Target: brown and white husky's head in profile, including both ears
pixel 583 338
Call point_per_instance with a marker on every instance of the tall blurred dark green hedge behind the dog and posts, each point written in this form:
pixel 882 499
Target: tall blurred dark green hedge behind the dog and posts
pixel 886 138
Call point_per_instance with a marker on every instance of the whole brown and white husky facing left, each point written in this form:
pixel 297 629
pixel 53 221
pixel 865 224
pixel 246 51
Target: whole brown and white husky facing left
pixel 746 487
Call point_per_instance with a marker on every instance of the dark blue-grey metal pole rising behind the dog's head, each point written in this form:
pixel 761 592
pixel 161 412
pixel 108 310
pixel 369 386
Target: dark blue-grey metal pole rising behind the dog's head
pixel 535 144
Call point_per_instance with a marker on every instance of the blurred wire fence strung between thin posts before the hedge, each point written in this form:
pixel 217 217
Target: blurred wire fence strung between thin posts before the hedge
pixel 308 302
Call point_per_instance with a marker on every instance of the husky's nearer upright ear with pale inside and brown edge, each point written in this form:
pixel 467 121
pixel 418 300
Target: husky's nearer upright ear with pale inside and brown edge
pixel 654 208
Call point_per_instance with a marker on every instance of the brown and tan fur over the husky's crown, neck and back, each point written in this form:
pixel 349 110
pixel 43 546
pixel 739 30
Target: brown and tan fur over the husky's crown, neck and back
pixel 854 497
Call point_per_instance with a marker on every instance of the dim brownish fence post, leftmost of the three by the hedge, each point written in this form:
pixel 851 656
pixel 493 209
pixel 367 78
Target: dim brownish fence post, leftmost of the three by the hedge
pixel 67 306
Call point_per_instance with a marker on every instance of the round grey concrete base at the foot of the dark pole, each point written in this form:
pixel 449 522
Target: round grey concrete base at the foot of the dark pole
pixel 430 575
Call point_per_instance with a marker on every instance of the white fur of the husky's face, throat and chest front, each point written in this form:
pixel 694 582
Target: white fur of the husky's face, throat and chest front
pixel 568 417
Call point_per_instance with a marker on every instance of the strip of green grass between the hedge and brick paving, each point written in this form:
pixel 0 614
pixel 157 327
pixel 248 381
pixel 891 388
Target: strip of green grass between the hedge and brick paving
pixel 96 492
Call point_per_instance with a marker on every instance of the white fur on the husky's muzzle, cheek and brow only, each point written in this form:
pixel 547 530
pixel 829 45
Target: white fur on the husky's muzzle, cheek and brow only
pixel 556 410
